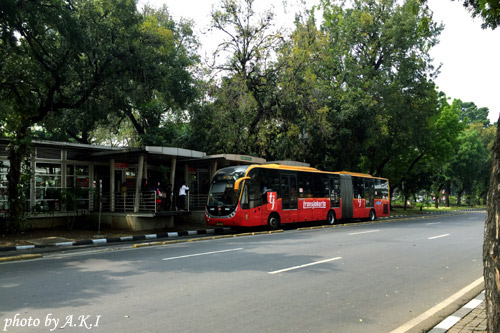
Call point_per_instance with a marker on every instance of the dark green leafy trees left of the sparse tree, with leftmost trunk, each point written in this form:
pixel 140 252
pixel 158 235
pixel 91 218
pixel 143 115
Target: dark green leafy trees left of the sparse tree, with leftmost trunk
pixel 74 66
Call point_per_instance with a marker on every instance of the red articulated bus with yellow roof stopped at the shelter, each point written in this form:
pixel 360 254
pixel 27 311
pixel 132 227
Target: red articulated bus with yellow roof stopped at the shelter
pixel 273 194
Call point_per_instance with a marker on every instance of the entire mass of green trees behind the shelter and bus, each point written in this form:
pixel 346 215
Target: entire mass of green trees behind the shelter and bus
pixel 352 91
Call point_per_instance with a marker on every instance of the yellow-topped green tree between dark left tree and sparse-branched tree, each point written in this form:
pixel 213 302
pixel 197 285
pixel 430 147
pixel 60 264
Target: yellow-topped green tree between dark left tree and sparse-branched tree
pixel 160 85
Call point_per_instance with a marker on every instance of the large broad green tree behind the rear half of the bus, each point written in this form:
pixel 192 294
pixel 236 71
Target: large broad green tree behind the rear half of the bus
pixel 381 71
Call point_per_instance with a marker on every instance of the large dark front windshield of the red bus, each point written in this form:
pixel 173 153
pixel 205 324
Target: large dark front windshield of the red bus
pixel 222 191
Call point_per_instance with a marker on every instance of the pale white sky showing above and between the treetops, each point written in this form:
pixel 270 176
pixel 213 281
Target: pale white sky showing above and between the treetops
pixel 468 54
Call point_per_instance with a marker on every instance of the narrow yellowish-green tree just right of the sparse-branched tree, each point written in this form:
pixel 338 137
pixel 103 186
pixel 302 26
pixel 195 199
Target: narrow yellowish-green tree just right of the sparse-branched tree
pixel 301 129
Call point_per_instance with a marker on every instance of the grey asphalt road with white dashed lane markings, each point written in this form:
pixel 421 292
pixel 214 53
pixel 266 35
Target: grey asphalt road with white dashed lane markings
pixel 354 278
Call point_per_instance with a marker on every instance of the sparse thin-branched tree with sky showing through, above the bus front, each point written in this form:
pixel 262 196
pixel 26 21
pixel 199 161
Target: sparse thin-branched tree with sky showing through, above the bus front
pixel 244 80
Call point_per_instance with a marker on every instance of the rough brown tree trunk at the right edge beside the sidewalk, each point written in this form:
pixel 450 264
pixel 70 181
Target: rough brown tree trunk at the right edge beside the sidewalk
pixel 491 247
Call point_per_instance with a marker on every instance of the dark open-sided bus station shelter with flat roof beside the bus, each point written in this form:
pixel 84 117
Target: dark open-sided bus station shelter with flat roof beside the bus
pixel 115 185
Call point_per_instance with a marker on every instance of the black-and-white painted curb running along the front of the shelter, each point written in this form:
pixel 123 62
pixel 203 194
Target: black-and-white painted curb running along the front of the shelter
pixel 110 240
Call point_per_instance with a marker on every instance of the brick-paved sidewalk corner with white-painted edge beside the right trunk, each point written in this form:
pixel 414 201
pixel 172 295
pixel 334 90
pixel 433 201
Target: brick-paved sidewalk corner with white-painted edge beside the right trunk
pixel 470 318
